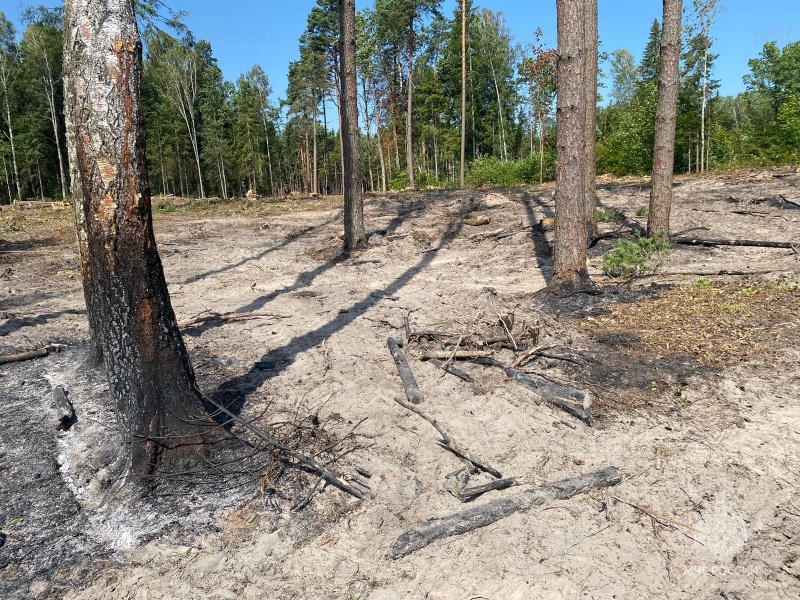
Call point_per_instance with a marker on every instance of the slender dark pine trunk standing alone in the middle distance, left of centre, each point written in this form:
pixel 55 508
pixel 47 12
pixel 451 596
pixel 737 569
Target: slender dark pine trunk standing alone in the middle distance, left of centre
pixel 354 234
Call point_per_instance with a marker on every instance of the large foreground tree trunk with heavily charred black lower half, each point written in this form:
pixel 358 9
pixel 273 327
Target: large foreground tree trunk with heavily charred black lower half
pixel 158 403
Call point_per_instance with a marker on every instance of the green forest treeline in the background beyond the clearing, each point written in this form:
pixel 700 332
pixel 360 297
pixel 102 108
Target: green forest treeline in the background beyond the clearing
pixel 210 137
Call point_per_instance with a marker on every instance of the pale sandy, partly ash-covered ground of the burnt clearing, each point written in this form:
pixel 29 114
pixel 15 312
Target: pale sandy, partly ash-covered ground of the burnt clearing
pixel 710 453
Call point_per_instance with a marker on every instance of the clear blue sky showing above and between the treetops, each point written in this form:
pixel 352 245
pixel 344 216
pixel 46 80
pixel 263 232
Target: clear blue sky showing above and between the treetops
pixel 245 33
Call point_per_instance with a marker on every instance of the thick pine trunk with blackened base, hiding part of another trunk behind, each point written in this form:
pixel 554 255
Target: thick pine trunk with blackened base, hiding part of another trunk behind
pixel 569 269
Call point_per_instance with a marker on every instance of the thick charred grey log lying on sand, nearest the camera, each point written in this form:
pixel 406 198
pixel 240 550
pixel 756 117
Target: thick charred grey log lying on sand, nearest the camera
pixel 481 516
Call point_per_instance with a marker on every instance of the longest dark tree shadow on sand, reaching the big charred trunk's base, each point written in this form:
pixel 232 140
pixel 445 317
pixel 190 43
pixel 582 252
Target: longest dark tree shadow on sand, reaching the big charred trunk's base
pixel 233 393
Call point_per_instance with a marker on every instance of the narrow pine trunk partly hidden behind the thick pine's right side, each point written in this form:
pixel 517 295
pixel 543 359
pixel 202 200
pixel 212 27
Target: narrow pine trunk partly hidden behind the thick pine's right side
pixel 591 116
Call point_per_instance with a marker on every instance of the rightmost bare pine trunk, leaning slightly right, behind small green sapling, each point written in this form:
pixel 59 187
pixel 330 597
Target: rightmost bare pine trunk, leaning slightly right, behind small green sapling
pixel 666 111
